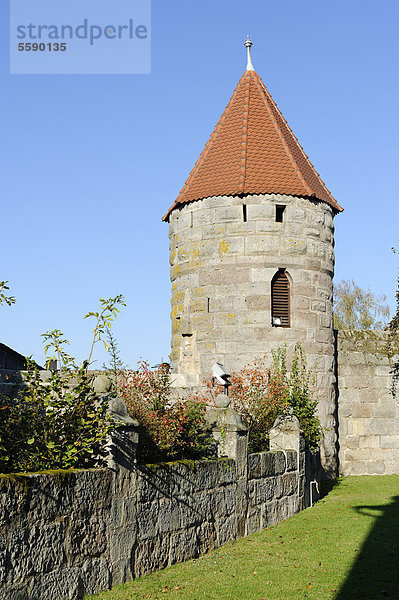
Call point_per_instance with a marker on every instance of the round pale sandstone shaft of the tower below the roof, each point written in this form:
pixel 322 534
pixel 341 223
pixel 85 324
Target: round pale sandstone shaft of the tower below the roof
pixel 223 258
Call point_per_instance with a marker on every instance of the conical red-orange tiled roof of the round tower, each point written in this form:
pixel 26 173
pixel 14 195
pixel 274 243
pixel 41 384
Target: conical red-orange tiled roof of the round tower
pixel 252 150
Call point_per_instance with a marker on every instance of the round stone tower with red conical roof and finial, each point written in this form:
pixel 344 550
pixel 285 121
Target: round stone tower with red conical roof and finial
pixel 252 251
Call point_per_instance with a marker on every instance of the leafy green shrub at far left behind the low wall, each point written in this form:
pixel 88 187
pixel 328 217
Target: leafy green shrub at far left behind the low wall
pixel 53 424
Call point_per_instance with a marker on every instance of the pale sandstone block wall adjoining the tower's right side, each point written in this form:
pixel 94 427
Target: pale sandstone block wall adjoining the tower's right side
pixel 368 407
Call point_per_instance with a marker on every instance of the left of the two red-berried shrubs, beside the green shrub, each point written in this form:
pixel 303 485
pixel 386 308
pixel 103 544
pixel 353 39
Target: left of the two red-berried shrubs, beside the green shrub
pixel 168 429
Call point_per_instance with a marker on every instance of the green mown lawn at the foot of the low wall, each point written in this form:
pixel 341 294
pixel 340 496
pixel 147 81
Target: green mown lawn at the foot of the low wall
pixel 345 547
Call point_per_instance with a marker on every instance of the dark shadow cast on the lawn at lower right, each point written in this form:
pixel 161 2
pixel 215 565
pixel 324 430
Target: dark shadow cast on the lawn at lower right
pixel 375 571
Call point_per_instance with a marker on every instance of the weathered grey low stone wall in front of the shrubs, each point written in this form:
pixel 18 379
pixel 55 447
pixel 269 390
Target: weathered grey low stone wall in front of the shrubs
pixel 66 533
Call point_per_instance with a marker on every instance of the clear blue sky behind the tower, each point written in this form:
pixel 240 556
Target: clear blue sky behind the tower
pixel 90 163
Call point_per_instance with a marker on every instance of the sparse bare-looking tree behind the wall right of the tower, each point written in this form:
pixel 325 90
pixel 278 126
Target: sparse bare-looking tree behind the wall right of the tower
pixel 355 308
